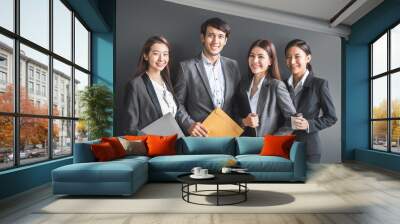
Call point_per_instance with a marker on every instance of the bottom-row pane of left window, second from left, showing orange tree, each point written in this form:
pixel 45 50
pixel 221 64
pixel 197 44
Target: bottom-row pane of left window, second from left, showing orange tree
pixel 33 139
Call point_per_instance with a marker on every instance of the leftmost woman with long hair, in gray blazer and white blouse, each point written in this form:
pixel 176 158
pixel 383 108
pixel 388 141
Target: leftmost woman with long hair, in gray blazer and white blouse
pixel 149 94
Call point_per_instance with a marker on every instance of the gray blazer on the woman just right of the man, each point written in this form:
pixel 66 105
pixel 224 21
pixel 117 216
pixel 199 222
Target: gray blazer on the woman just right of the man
pixel 274 107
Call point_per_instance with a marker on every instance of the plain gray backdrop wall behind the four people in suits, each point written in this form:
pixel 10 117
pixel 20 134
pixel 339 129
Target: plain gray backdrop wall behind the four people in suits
pixel 137 20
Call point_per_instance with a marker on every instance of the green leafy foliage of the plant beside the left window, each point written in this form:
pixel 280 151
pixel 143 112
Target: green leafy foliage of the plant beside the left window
pixel 96 102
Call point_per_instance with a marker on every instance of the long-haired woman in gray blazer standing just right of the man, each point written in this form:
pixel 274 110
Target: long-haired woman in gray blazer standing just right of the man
pixel 264 102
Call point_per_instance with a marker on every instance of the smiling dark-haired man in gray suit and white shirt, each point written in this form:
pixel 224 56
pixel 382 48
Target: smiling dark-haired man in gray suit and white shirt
pixel 207 81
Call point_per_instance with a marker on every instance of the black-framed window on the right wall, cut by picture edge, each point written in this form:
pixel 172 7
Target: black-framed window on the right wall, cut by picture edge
pixel 385 91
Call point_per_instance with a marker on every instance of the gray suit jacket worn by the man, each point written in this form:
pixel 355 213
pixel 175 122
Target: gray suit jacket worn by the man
pixel 193 91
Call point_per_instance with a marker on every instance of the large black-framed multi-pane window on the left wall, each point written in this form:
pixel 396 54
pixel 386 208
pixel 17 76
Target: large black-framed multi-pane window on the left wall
pixel 44 64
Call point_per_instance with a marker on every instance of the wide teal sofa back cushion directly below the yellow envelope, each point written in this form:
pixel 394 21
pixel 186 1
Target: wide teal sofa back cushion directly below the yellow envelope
pixel 198 146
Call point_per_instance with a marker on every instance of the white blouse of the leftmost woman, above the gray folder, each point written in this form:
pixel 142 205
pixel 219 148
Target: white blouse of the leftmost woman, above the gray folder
pixel 165 98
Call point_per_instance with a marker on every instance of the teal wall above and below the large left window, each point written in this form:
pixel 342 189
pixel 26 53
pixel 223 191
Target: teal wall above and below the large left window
pixel 99 15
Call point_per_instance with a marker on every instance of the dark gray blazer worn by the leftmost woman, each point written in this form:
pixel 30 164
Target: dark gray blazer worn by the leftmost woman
pixel 141 105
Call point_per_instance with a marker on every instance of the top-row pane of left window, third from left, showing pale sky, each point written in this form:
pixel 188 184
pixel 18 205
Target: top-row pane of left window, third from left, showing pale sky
pixel 62 29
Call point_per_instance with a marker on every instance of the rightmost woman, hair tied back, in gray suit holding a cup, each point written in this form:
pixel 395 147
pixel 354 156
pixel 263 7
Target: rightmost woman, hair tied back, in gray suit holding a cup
pixel 310 96
